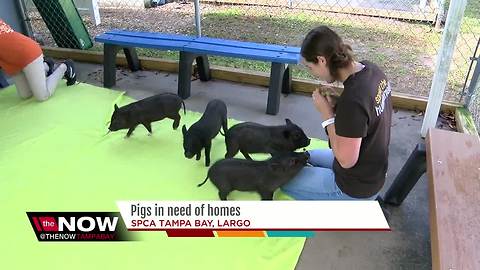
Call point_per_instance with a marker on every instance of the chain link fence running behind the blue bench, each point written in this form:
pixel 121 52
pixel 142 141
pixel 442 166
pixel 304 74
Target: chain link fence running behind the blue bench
pixel 402 36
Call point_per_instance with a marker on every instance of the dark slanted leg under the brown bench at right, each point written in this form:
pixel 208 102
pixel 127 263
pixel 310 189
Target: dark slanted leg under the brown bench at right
pixel 408 176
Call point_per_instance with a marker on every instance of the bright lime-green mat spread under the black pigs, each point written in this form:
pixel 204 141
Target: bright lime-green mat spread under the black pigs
pixel 54 157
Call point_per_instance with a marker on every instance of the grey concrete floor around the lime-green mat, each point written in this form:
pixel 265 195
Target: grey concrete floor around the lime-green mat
pixel 407 246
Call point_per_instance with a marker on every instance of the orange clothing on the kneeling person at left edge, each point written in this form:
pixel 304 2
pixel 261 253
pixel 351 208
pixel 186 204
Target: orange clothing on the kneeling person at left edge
pixel 16 50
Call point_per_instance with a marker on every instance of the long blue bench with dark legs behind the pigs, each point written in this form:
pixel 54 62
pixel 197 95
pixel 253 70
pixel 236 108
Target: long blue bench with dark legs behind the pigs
pixel 198 48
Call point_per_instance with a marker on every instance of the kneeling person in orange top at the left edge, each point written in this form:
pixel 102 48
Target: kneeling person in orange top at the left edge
pixel 22 58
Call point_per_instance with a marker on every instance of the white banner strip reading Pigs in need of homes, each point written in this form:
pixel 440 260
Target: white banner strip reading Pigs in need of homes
pixel 253 215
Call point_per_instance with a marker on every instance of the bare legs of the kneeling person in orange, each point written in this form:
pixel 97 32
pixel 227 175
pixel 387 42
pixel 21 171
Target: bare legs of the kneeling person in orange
pixel 41 86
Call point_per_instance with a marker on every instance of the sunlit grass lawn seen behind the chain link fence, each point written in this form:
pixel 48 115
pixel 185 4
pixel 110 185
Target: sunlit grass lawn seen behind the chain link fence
pixel 398 47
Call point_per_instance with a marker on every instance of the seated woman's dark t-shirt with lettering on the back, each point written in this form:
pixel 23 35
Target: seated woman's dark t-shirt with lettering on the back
pixel 364 110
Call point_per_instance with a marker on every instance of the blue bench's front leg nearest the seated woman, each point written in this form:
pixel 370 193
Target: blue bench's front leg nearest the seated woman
pixel 276 81
